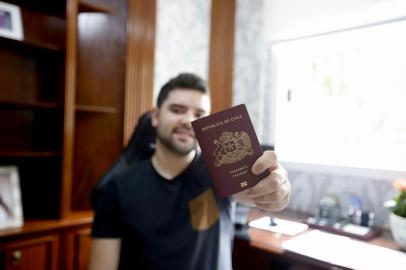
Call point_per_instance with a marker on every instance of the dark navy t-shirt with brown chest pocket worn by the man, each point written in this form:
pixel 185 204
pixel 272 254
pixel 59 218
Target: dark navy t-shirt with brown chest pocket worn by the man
pixel 177 224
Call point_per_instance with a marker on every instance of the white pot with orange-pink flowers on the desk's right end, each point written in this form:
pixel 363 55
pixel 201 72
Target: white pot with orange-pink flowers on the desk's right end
pixel 397 216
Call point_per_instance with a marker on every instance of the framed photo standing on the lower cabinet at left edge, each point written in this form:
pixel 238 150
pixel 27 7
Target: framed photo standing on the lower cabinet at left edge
pixel 11 213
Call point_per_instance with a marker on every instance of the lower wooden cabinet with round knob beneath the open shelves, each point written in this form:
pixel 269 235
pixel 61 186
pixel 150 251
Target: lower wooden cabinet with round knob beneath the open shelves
pixel 62 244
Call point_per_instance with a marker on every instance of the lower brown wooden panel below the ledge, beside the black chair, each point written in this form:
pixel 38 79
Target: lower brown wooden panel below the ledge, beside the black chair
pixel 97 145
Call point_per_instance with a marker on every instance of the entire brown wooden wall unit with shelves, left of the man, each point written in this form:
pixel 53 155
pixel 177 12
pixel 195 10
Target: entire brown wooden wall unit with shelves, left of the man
pixel 62 119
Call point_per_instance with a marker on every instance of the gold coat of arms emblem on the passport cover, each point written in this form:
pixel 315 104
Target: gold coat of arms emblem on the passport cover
pixel 232 147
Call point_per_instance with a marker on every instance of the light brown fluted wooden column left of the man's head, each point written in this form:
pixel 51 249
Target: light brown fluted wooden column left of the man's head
pixel 140 62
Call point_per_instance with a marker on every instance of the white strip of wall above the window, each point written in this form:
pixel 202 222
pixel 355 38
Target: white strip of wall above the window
pixel 288 19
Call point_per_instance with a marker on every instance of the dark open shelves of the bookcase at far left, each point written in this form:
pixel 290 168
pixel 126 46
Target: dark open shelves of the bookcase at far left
pixel 31 109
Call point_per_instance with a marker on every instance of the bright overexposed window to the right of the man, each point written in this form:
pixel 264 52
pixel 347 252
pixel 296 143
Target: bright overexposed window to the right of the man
pixel 341 98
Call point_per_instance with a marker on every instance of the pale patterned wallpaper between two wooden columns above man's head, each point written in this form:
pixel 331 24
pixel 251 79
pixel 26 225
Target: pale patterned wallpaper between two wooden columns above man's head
pixel 182 39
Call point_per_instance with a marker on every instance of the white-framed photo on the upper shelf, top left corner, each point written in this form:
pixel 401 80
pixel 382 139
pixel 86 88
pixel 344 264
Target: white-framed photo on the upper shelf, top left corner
pixel 10 21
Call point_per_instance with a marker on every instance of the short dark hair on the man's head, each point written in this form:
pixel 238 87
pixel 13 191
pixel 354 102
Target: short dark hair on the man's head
pixel 184 81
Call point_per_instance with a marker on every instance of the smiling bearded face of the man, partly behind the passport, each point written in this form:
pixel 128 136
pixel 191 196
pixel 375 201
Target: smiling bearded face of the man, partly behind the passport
pixel 173 119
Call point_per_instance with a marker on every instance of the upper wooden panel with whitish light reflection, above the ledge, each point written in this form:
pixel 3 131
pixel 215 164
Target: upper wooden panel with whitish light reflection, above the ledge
pixel 101 58
